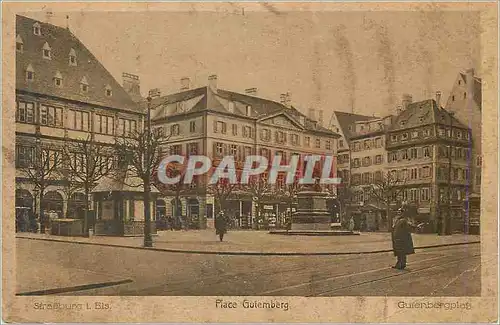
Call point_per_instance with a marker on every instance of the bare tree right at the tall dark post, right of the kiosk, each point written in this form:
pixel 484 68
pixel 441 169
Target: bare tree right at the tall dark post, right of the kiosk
pixel 141 154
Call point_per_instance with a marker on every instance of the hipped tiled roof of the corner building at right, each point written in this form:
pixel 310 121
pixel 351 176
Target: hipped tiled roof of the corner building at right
pixel 423 113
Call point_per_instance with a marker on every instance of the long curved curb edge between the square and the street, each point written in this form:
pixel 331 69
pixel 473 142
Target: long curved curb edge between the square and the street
pixel 169 250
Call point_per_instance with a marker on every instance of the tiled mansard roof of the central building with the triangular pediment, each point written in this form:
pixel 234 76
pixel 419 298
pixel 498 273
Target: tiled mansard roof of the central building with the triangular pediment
pixel 216 101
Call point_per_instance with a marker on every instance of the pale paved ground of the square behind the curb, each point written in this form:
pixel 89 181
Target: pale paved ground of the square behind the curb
pixel 262 243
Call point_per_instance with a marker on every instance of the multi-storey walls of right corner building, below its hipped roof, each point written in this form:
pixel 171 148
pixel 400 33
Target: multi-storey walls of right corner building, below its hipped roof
pixel 422 161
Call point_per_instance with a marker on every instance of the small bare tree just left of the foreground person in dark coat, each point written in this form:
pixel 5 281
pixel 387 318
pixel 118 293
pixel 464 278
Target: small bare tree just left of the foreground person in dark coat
pixel 386 190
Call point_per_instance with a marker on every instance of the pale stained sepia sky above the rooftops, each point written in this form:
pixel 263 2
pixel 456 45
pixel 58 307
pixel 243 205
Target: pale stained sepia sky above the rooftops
pixel 356 61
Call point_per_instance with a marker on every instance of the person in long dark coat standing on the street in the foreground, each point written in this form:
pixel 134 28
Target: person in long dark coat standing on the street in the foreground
pixel 402 243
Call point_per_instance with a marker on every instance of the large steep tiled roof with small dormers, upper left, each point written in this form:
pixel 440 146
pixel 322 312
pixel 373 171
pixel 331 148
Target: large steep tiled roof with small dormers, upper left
pixel 61 42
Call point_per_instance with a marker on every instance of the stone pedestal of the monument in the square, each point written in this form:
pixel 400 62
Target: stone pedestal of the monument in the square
pixel 312 212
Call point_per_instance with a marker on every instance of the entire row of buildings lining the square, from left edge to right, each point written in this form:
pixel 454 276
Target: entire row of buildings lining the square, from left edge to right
pixel 64 94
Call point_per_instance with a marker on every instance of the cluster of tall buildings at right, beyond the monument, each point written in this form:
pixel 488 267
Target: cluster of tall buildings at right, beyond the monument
pixel 431 153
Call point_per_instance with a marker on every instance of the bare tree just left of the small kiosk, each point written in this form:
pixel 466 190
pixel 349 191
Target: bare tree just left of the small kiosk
pixel 86 163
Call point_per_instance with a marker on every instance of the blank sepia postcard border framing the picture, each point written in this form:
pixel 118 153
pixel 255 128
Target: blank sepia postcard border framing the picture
pixel 201 309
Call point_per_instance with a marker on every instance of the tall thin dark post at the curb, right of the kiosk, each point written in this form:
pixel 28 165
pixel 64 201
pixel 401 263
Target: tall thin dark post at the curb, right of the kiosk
pixel 148 240
